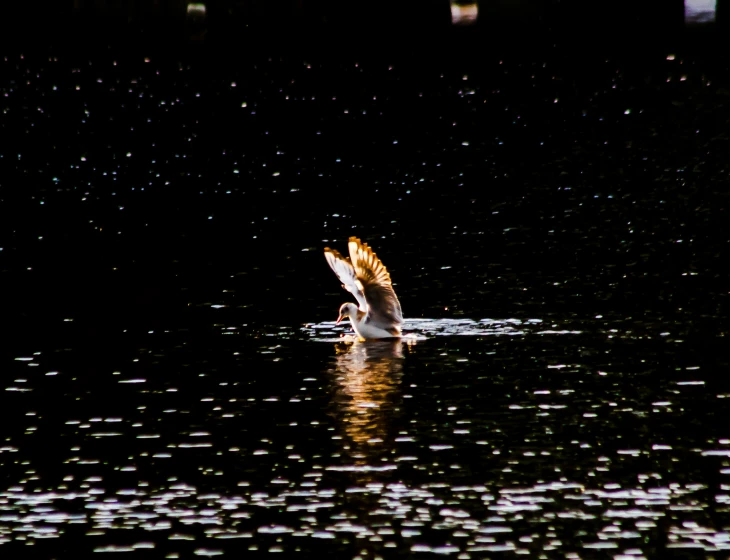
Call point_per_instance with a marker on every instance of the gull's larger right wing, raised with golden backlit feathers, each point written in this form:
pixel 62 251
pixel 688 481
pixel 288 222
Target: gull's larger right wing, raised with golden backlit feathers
pixel 382 304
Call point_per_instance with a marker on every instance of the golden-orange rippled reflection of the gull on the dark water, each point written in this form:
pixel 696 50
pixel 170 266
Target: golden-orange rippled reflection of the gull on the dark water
pixel 367 378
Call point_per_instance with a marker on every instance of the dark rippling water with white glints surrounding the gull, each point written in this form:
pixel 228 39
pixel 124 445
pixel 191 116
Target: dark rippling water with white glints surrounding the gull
pixel 173 384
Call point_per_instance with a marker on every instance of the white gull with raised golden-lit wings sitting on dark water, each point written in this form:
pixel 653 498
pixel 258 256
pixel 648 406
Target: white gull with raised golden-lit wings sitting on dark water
pixel 364 276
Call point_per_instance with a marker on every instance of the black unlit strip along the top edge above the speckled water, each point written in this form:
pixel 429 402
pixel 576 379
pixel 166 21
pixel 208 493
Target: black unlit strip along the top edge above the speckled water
pixel 293 21
